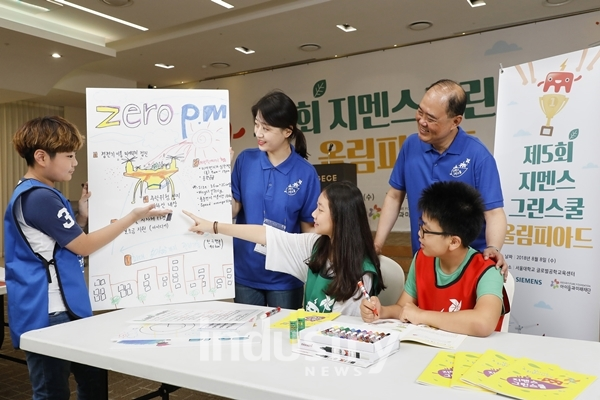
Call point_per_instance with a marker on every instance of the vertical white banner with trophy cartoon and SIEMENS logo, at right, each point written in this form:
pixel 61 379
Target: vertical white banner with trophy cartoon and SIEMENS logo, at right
pixel 546 147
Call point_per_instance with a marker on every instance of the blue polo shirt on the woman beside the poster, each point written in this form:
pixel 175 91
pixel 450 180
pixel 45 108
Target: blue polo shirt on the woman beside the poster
pixel 284 195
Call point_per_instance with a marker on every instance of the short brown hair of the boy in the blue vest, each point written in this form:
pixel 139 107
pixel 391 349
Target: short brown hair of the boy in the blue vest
pixel 51 134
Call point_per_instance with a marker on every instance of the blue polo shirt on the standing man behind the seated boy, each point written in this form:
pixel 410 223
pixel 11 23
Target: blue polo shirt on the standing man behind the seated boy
pixel 466 160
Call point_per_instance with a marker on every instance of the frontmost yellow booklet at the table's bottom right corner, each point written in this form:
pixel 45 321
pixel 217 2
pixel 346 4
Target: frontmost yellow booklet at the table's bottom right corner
pixel 533 380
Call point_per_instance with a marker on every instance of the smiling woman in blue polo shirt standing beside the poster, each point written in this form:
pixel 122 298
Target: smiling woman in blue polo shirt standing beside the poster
pixel 272 185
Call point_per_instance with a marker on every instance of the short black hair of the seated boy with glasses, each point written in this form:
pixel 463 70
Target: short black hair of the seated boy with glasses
pixel 457 207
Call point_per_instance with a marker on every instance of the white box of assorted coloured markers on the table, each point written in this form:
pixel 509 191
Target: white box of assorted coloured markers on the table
pixel 349 340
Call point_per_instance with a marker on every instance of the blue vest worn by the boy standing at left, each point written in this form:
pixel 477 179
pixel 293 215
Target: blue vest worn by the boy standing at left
pixel 28 275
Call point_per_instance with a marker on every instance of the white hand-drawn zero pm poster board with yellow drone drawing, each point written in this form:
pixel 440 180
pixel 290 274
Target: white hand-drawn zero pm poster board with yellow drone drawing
pixel 170 148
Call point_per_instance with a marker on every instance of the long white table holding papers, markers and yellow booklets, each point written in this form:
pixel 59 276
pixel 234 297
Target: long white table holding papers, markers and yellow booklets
pixel 269 370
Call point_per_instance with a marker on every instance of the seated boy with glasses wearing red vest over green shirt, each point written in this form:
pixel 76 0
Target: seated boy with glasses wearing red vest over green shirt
pixel 450 285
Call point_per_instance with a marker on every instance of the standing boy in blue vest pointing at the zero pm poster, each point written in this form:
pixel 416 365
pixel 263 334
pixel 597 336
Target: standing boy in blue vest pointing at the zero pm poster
pixel 44 247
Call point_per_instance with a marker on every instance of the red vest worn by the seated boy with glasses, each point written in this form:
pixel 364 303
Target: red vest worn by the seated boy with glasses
pixel 460 294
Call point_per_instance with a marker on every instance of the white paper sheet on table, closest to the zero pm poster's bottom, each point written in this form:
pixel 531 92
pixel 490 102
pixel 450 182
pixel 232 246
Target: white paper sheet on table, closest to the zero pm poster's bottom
pixel 197 316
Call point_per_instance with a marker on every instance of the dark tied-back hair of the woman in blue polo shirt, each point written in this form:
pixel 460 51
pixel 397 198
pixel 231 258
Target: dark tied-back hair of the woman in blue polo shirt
pixel 279 111
